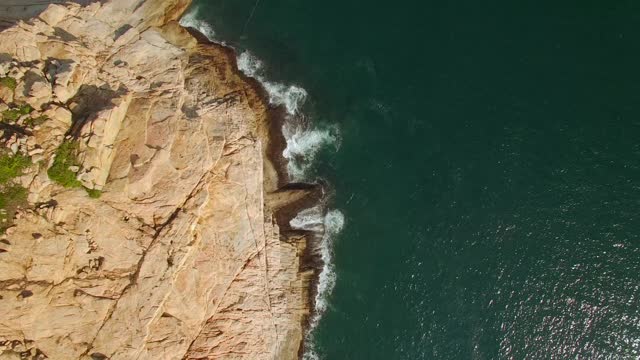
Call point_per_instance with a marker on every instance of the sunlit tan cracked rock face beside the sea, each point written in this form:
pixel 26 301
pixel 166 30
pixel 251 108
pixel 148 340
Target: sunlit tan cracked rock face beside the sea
pixel 181 256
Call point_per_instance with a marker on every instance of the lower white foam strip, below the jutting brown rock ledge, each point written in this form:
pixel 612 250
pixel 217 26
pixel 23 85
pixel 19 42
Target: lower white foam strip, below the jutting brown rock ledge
pixel 331 225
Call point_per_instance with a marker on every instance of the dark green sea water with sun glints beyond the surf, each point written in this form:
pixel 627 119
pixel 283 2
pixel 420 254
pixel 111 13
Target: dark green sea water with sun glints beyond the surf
pixel 488 170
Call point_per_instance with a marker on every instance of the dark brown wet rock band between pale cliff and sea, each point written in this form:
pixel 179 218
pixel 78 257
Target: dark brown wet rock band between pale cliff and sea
pixel 297 195
